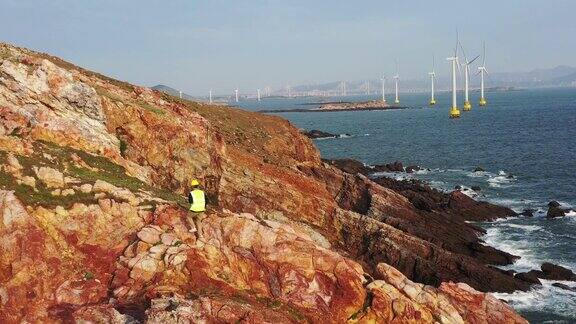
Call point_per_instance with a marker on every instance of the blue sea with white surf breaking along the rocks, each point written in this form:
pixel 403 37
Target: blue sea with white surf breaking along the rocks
pixel 525 141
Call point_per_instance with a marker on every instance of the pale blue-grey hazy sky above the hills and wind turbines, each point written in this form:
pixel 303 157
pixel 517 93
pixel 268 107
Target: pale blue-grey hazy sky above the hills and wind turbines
pixel 195 46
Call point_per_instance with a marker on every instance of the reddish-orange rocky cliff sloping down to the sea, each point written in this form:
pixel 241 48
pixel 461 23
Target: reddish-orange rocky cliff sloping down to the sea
pixel 93 177
